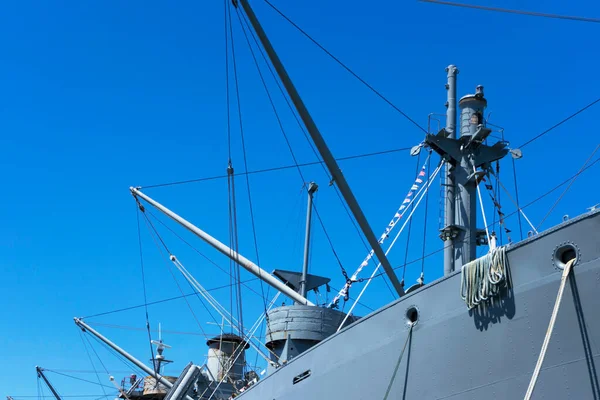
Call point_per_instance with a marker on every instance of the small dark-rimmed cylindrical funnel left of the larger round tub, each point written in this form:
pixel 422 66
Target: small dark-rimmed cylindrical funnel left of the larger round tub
pixel 226 358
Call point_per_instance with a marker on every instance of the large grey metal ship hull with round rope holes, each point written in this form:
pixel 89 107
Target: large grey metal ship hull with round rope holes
pixel 454 353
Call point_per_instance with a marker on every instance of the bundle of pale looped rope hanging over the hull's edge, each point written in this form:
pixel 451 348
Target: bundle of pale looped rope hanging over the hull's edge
pixel 483 278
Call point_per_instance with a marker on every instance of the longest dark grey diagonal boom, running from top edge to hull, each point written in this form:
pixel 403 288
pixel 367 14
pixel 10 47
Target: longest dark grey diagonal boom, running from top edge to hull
pixel 321 146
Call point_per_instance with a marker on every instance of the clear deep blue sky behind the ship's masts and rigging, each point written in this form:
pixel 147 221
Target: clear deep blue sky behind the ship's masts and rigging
pixel 97 96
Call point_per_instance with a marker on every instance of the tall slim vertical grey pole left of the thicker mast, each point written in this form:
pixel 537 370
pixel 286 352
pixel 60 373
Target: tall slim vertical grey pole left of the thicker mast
pixel 450 189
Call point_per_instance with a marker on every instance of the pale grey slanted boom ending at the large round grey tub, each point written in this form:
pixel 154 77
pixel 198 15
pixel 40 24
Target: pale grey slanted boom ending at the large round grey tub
pixel 238 258
